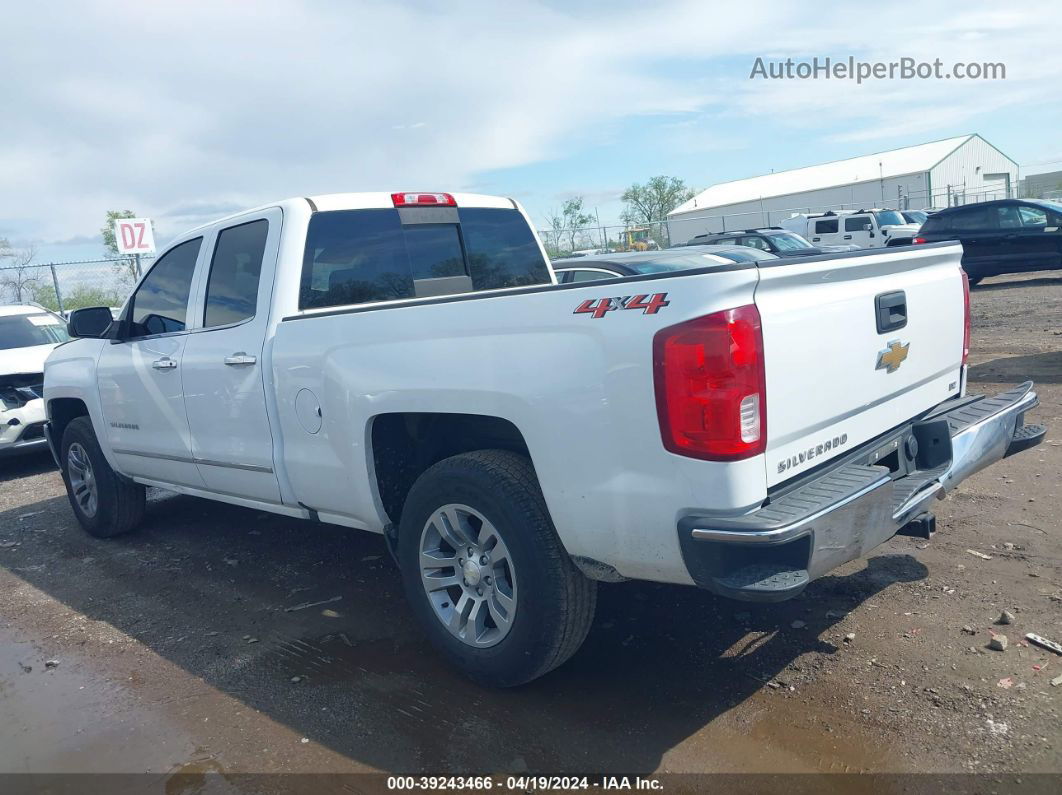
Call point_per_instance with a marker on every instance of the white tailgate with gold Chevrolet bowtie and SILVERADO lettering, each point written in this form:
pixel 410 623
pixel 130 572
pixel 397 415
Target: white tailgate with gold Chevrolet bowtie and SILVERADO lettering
pixel 834 381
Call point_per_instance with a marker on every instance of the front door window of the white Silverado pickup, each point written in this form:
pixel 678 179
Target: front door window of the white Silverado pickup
pixel 161 304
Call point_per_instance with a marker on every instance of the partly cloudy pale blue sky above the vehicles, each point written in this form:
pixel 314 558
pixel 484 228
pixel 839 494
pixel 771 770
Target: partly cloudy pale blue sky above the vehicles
pixel 185 112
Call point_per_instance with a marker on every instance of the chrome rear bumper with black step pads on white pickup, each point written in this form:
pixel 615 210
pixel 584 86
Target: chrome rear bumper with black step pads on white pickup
pixel 848 511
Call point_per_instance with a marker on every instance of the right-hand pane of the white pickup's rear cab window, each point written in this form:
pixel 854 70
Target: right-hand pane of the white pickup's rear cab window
pixel 502 250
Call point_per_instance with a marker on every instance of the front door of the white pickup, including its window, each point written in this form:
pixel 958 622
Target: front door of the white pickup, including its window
pixel 142 391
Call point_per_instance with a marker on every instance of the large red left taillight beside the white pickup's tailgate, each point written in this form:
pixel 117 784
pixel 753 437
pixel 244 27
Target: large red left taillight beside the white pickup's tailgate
pixel 711 396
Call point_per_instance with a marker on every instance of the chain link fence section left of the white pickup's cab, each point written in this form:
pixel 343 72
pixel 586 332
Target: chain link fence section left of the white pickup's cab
pixel 63 287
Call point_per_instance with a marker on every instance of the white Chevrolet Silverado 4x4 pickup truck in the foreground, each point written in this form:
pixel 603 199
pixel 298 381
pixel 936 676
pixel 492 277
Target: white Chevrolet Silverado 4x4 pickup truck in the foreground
pixel 406 365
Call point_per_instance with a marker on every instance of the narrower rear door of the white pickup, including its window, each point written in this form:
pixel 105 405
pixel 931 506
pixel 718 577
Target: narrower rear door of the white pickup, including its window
pixel 224 369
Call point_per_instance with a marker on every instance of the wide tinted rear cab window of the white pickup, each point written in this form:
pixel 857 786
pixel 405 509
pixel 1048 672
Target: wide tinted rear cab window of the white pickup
pixel 379 255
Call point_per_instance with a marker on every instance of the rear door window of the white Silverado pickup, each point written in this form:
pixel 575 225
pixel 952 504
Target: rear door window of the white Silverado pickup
pixel 232 289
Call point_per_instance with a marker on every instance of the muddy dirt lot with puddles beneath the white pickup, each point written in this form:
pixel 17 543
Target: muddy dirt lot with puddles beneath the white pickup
pixel 178 648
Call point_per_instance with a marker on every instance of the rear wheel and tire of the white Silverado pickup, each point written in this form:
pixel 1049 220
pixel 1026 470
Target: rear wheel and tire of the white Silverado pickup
pixel 493 493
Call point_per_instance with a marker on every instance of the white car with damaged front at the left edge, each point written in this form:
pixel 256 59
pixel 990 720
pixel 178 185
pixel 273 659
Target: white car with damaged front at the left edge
pixel 28 335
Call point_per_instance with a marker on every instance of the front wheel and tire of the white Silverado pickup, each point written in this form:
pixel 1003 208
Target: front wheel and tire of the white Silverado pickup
pixel 118 506
